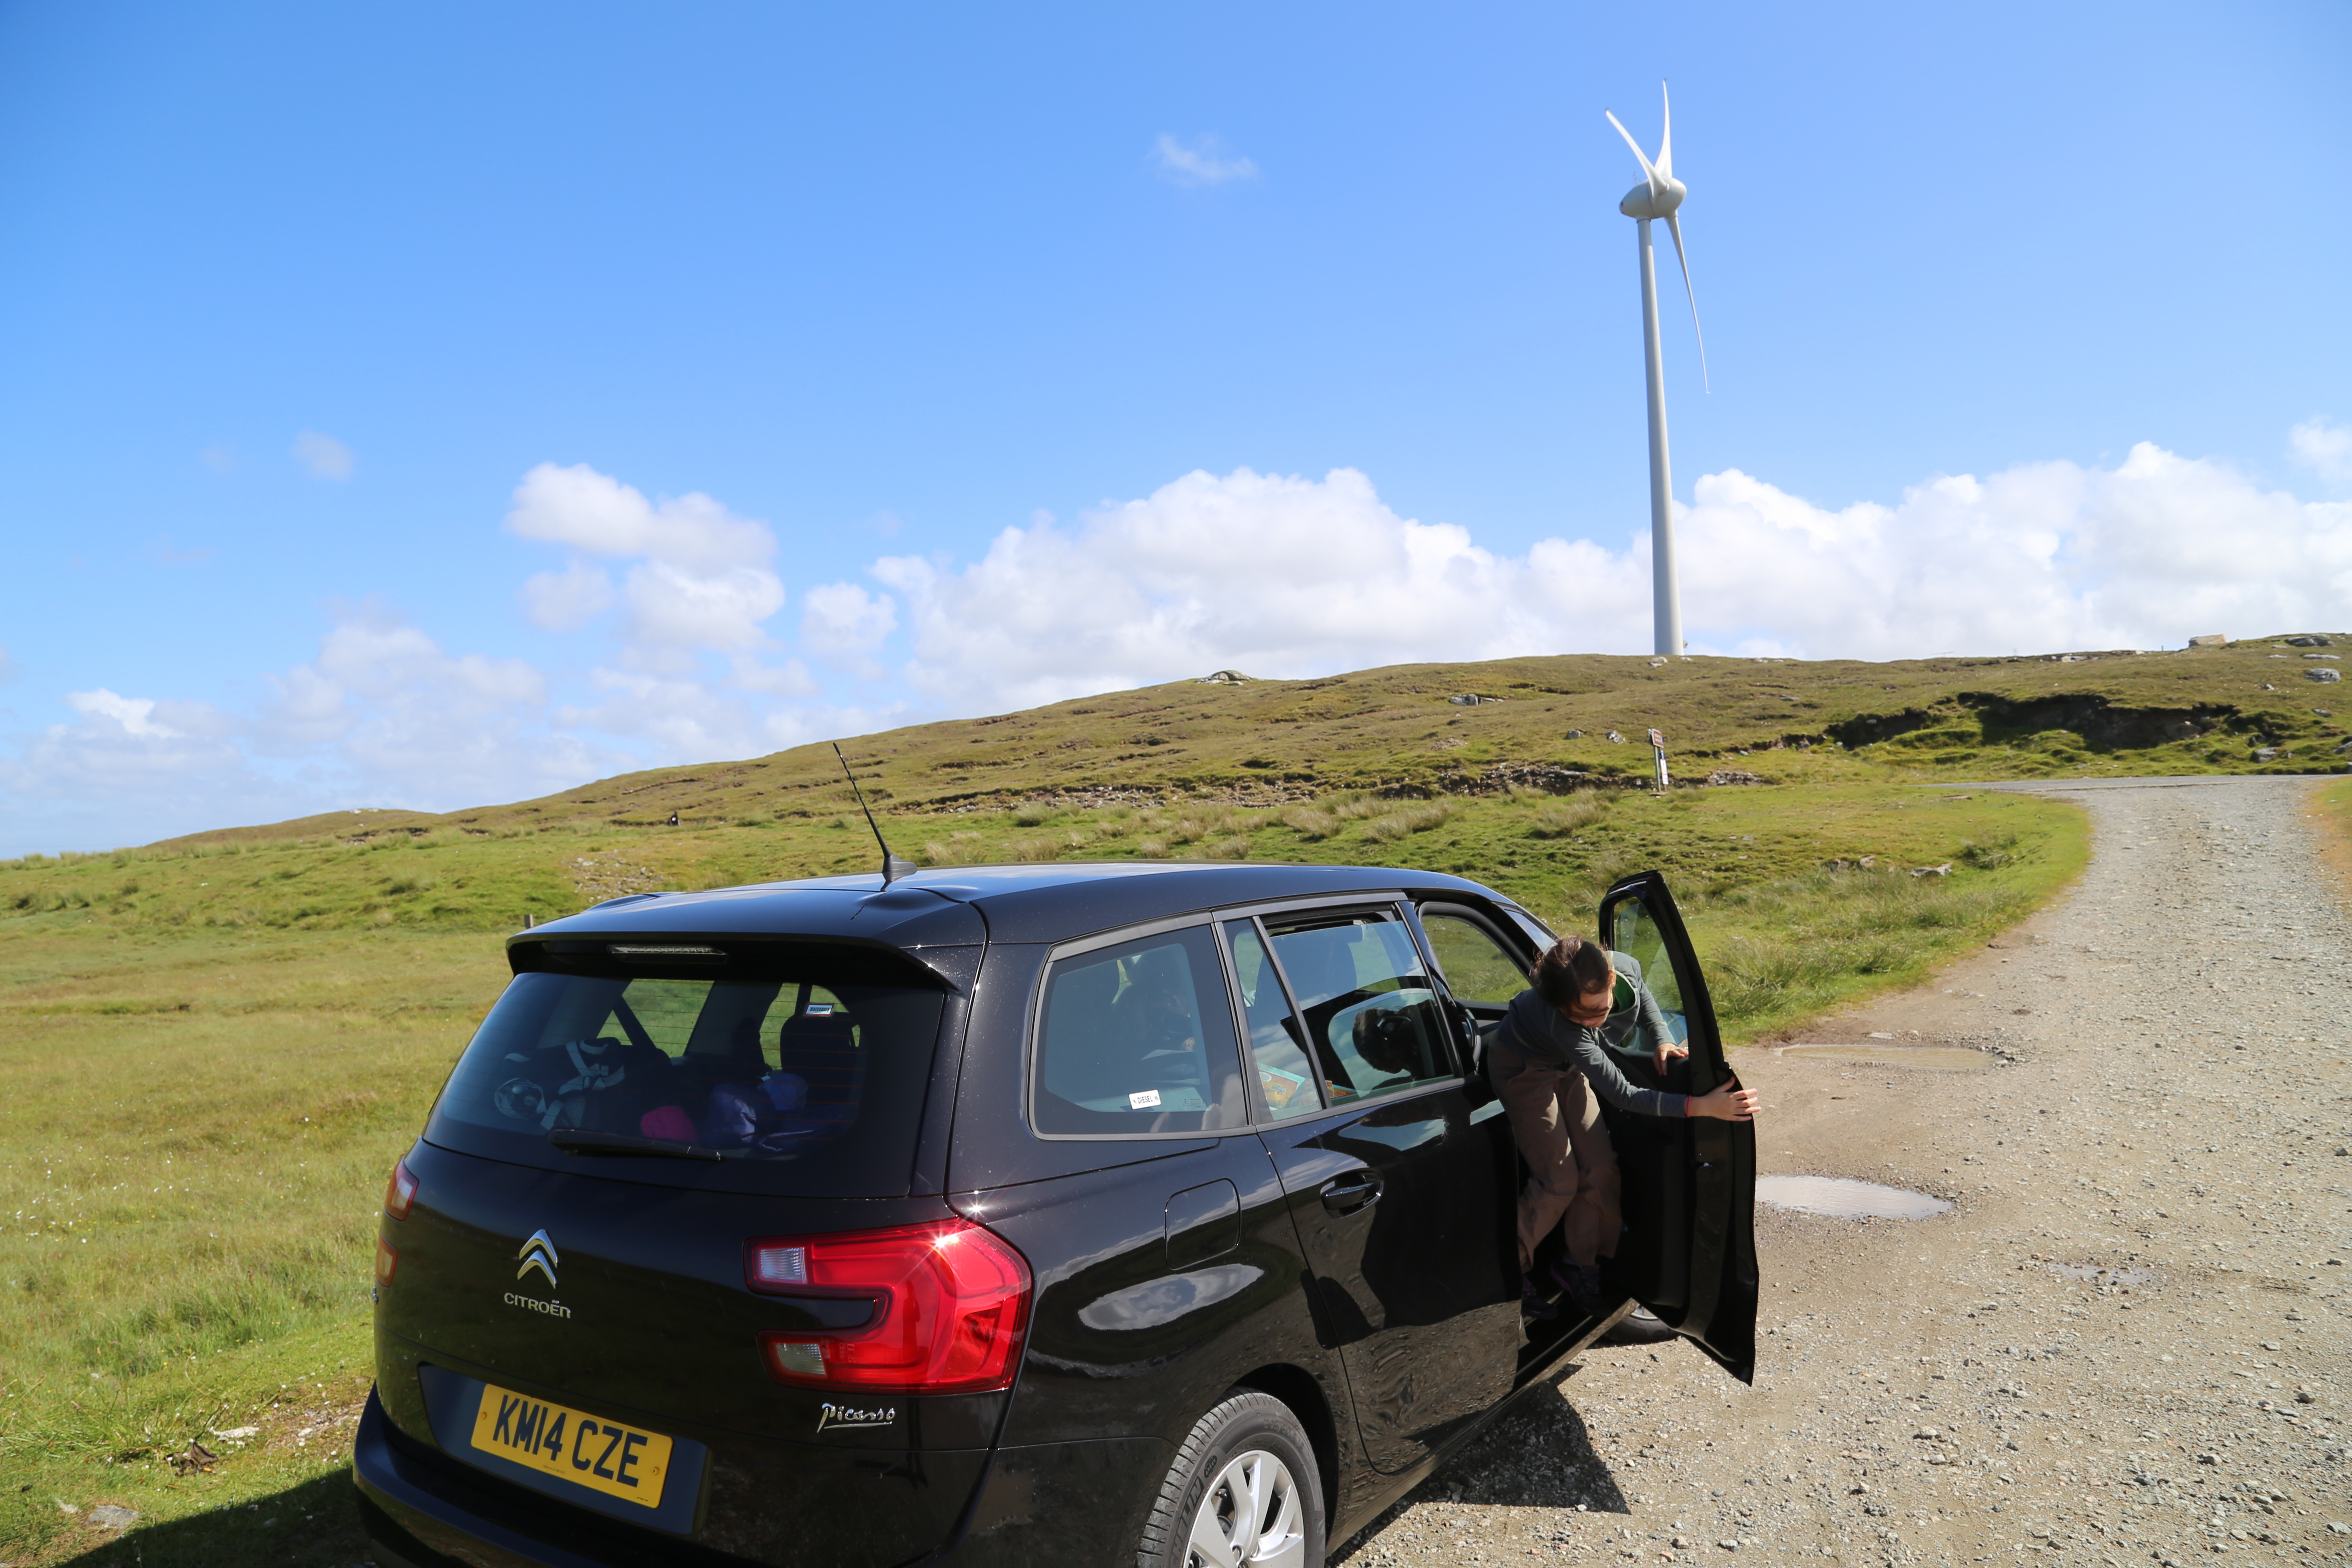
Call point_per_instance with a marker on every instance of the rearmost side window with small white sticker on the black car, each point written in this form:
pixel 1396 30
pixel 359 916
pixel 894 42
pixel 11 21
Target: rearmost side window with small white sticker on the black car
pixel 1137 1038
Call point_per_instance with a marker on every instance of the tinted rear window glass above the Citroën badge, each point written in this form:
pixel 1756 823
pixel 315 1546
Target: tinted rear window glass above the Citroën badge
pixel 803 1085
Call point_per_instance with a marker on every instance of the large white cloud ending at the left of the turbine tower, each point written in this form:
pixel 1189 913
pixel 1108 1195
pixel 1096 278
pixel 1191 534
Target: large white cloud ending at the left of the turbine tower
pixel 1262 572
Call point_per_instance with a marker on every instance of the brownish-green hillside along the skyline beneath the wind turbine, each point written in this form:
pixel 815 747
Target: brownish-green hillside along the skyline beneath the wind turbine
pixel 1539 721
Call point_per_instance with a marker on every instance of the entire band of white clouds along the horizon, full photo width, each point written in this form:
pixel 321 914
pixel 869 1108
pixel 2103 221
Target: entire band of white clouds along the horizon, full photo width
pixel 1283 577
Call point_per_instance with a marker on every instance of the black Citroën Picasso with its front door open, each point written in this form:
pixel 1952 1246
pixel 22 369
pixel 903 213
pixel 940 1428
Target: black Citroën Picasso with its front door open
pixel 1036 1214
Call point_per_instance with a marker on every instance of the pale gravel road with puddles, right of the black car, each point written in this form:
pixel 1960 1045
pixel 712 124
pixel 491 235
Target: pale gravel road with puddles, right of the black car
pixel 2127 1343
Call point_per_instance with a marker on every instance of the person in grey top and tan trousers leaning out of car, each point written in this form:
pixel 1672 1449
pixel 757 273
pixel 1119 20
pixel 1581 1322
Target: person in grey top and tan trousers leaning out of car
pixel 1549 1064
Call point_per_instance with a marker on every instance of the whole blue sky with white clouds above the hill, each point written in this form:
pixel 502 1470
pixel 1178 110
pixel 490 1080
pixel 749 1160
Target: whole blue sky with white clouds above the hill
pixel 940 309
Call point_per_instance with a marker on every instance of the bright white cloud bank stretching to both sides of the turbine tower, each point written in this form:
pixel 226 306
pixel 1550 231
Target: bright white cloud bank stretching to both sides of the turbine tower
pixel 1299 577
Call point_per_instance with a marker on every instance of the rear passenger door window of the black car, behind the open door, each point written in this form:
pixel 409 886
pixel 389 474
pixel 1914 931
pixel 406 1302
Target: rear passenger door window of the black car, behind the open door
pixel 1365 1003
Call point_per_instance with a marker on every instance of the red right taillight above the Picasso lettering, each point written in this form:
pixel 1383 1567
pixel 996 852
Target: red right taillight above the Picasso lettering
pixel 949 1308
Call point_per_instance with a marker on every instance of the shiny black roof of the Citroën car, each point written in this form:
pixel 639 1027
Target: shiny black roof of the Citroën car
pixel 1020 904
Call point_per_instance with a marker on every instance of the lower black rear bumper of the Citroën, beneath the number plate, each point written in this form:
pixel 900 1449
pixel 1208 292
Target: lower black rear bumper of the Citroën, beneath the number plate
pixel 1055 1503
